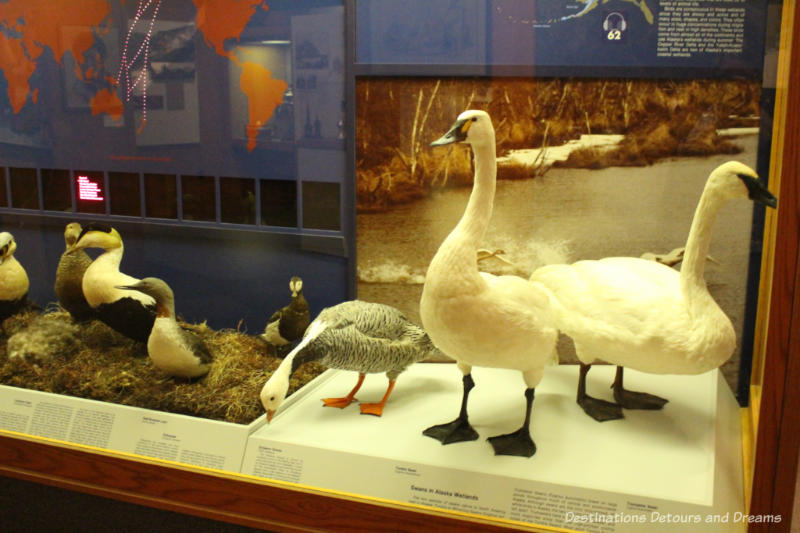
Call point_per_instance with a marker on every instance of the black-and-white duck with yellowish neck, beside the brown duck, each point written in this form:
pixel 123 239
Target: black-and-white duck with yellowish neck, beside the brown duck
pixel 129 312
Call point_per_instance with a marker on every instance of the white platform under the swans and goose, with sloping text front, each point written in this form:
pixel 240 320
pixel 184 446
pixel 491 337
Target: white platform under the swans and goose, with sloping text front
pixel 678 469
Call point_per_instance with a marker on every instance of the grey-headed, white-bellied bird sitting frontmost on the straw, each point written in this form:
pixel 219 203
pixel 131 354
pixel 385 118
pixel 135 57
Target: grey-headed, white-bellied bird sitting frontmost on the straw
pixel 174 350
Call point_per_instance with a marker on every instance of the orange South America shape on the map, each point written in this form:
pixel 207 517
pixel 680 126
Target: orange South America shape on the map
pixel 263 93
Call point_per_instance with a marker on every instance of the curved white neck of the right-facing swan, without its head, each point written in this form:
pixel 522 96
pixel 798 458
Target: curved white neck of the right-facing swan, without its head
pixel 693 283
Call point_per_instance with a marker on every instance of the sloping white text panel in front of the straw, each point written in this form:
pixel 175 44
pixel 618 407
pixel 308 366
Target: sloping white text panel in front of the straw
pixel 180 438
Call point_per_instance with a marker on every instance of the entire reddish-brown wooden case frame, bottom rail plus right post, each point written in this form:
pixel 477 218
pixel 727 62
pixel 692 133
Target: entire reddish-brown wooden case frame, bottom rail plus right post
pixel 772 422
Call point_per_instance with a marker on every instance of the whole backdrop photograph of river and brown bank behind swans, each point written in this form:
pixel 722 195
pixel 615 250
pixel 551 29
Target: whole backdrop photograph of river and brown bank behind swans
pixel 587 168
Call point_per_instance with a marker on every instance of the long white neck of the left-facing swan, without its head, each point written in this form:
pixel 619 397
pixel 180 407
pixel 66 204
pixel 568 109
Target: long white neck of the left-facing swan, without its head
pixel 462 243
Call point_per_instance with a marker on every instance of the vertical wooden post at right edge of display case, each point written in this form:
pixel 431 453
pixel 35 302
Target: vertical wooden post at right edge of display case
pixel 775 407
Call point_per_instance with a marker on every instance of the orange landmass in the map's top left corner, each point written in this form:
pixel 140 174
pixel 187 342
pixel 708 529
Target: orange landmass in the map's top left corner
pixel 38 22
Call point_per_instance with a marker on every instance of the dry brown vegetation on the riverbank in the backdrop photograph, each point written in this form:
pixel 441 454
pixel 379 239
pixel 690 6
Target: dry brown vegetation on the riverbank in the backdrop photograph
pixel 397 119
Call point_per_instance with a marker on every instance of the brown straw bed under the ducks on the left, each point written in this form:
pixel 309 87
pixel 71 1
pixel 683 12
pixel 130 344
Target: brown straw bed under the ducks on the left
pixel 90 360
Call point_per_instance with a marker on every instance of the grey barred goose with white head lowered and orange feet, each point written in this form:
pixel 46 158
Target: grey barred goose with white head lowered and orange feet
pixel 360 336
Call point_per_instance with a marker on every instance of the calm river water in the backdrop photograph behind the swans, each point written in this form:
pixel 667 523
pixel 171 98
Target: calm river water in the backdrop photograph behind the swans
pixel 564 216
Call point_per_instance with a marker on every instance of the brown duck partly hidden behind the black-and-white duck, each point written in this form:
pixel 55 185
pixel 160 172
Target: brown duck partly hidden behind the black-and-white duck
pixel 69 276
